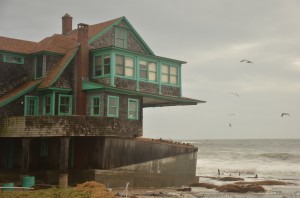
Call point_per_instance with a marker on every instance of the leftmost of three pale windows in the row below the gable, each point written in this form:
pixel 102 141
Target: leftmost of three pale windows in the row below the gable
pixel 124 66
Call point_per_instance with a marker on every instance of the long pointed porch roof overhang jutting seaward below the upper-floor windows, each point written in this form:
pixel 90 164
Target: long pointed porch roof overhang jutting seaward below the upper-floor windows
pixel 149 100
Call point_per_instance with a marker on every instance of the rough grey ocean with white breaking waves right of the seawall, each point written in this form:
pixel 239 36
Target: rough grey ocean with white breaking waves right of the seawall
pixel 264 158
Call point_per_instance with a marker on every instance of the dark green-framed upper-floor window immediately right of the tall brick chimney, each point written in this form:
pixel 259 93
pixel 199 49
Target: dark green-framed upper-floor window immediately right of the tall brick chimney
pixel 102 65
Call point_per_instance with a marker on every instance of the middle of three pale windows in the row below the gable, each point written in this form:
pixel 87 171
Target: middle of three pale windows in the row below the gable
pixel 148 70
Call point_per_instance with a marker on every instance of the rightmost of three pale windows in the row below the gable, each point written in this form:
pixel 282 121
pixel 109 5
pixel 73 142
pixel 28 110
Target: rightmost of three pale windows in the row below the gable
pixel 169 74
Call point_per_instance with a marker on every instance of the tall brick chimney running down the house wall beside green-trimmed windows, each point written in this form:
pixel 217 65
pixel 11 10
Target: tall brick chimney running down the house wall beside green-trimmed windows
pixel 82 70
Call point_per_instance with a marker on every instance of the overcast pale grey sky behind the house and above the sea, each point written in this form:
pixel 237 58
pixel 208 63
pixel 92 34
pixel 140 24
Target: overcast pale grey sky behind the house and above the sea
pixel 212 36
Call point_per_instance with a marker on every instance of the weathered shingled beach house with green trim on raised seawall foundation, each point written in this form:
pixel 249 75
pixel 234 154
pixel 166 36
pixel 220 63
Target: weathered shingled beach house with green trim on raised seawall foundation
pixel 72 106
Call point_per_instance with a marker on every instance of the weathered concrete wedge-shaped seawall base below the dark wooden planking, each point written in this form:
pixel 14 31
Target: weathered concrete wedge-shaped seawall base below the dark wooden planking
pixel 172 171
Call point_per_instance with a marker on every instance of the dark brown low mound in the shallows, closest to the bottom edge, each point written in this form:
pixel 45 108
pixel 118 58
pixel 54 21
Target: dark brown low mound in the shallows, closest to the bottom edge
pixel 240 188
